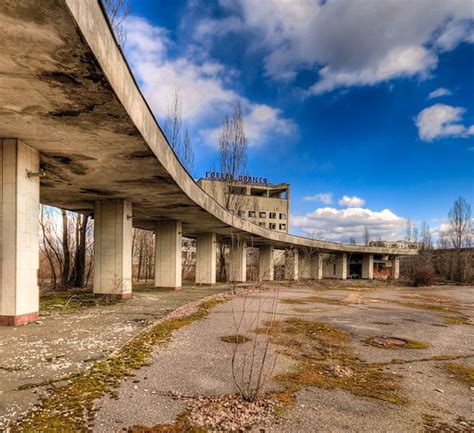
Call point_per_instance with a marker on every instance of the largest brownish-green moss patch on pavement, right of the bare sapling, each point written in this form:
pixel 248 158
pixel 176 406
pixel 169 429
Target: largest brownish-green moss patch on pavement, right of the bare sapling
pixel 326 359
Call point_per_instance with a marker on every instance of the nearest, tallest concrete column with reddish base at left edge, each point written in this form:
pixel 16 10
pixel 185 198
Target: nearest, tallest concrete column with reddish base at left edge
pixel 19 227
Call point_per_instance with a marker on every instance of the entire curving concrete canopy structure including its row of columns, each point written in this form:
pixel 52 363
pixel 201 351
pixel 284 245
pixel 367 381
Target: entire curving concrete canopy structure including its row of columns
pixel 69 105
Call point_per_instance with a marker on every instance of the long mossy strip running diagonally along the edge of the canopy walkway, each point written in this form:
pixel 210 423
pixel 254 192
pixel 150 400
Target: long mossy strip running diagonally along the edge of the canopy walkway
pixel 70 407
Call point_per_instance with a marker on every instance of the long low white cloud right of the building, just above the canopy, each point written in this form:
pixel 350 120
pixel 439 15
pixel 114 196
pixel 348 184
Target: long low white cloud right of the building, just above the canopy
pixel 341 224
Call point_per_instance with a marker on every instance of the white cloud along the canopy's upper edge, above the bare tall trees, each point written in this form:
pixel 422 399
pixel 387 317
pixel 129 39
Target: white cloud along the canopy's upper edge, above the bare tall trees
pixel 204 85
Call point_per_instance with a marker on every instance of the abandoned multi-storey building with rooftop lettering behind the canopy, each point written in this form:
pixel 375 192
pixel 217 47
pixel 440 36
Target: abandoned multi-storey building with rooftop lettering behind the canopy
pixel 251 198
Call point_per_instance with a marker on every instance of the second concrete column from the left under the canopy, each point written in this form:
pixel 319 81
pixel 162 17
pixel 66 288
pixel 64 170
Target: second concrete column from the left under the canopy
pixel 113 248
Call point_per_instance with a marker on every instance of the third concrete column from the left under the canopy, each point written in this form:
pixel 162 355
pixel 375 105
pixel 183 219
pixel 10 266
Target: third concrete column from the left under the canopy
pixel 168 255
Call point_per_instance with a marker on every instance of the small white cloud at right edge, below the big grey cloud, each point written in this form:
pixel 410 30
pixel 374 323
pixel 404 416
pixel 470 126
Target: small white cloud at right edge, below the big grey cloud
pixel 441 120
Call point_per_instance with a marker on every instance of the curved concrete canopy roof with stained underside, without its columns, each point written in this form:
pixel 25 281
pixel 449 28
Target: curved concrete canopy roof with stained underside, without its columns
pixel 66 90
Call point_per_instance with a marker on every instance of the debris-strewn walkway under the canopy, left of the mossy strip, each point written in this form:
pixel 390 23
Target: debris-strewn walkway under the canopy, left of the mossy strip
pixel 61 344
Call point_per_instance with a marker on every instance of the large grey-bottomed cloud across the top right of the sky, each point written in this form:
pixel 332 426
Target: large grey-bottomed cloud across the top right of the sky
pixel 349 42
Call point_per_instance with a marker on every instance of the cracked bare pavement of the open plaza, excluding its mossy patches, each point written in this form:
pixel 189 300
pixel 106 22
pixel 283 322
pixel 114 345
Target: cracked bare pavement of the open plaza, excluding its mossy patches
pixel 197 362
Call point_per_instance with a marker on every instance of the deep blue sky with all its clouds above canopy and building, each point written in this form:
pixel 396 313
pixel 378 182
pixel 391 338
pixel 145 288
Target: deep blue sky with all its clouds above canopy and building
pixel 366 108
